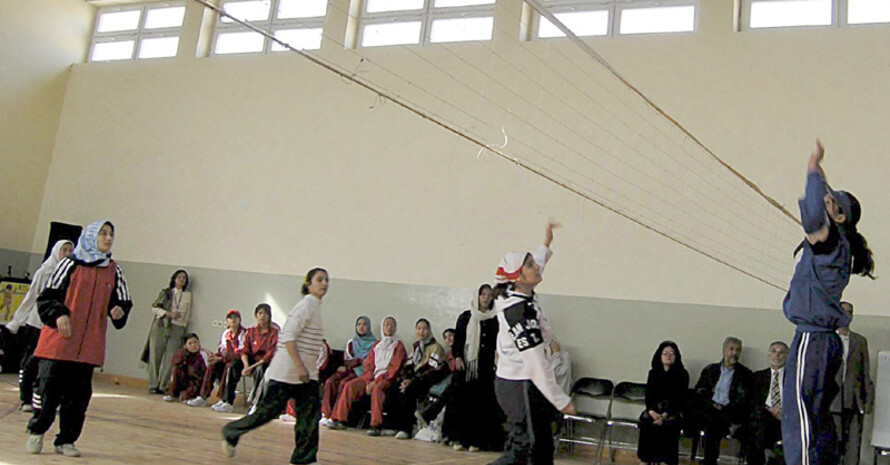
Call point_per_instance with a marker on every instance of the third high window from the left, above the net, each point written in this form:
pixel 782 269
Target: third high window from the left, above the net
pixel 400 22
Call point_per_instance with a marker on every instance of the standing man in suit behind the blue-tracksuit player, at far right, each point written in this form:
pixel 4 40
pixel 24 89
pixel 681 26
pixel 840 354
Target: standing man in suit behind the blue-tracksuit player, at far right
pixel 857 393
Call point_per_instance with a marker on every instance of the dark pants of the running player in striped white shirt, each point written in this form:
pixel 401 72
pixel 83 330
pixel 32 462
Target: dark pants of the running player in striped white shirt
pixel 307 410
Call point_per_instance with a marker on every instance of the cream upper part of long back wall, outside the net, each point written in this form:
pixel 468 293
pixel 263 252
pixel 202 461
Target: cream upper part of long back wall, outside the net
pixel 267 163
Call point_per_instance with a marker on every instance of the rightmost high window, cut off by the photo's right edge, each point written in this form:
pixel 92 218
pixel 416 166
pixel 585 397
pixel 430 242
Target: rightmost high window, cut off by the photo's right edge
pixel 763 14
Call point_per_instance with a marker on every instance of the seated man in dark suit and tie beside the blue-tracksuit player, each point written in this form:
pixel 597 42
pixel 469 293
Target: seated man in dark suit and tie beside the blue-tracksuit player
pixel 765 427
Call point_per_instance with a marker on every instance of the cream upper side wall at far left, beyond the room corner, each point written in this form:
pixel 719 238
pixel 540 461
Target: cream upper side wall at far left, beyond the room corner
pixel 39 40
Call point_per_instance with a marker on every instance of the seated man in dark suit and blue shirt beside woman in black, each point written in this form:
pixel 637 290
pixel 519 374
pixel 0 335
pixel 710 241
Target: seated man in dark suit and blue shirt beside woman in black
pixel 723 392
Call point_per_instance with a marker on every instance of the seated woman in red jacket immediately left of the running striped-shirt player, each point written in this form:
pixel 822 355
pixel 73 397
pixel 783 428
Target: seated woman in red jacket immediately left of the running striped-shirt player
pixel 259 347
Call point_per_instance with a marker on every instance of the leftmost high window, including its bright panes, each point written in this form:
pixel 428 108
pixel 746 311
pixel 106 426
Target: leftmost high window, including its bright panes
pixel 140 31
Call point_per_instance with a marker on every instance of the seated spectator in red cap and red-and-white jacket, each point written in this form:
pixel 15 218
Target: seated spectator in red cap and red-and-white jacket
pixel 225 366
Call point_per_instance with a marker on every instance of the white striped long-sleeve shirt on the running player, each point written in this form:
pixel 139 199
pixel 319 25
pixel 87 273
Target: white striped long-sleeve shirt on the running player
pixel 304 325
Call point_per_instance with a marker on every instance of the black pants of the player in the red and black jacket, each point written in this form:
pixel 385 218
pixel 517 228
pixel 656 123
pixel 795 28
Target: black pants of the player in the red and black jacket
pixel 68 385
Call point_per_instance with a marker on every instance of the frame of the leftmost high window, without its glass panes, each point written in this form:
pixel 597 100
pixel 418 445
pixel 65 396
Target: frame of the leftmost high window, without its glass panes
pixel 137 35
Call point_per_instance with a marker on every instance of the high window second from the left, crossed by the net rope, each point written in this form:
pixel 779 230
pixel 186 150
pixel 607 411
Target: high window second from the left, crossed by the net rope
pixel 298 23
